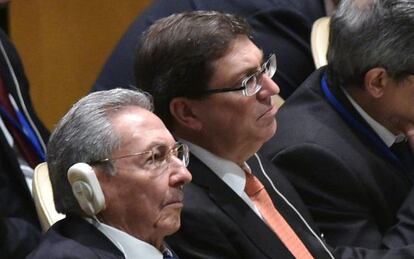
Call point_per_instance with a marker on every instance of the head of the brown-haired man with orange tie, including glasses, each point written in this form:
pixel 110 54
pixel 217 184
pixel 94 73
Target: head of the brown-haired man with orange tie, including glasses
pixel 211 84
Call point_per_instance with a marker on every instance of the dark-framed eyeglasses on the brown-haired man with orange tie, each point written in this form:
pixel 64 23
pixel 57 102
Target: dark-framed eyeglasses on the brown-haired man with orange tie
pixel 251 84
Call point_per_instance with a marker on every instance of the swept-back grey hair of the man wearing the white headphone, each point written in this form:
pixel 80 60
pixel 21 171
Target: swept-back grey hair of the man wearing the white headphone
pixel 85 134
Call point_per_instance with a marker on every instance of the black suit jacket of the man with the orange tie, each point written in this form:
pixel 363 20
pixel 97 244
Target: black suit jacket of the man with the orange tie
pixel 216 223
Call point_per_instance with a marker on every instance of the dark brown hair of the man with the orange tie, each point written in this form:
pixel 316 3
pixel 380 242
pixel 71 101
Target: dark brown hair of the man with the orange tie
pixel 176 54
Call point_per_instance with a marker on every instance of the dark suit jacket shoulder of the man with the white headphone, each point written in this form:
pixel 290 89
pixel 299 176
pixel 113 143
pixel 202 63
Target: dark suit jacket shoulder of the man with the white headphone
pixel 73 237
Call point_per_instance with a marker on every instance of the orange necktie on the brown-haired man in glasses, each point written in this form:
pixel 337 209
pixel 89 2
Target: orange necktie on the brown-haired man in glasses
pixel 258 194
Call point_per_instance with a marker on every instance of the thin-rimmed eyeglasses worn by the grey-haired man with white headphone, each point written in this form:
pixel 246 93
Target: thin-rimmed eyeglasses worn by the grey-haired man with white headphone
pixel 158 156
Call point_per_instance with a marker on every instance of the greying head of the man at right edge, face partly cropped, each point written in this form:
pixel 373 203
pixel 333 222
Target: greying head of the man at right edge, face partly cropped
pixel 371 54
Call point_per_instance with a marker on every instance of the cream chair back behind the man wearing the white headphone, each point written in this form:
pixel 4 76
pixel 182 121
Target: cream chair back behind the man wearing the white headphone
pixel 43 197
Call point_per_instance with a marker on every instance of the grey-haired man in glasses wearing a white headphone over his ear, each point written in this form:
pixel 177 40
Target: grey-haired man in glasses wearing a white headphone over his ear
pixel 117 173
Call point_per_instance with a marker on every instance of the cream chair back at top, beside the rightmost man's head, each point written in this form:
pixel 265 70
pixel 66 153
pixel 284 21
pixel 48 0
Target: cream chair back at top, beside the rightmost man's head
pixel 320 40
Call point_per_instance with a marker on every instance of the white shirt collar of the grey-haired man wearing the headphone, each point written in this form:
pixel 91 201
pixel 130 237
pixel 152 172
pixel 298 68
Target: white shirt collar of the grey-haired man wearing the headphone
pixel 130 246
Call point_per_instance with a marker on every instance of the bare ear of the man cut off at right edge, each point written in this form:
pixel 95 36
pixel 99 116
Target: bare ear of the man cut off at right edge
pixel 375 81
